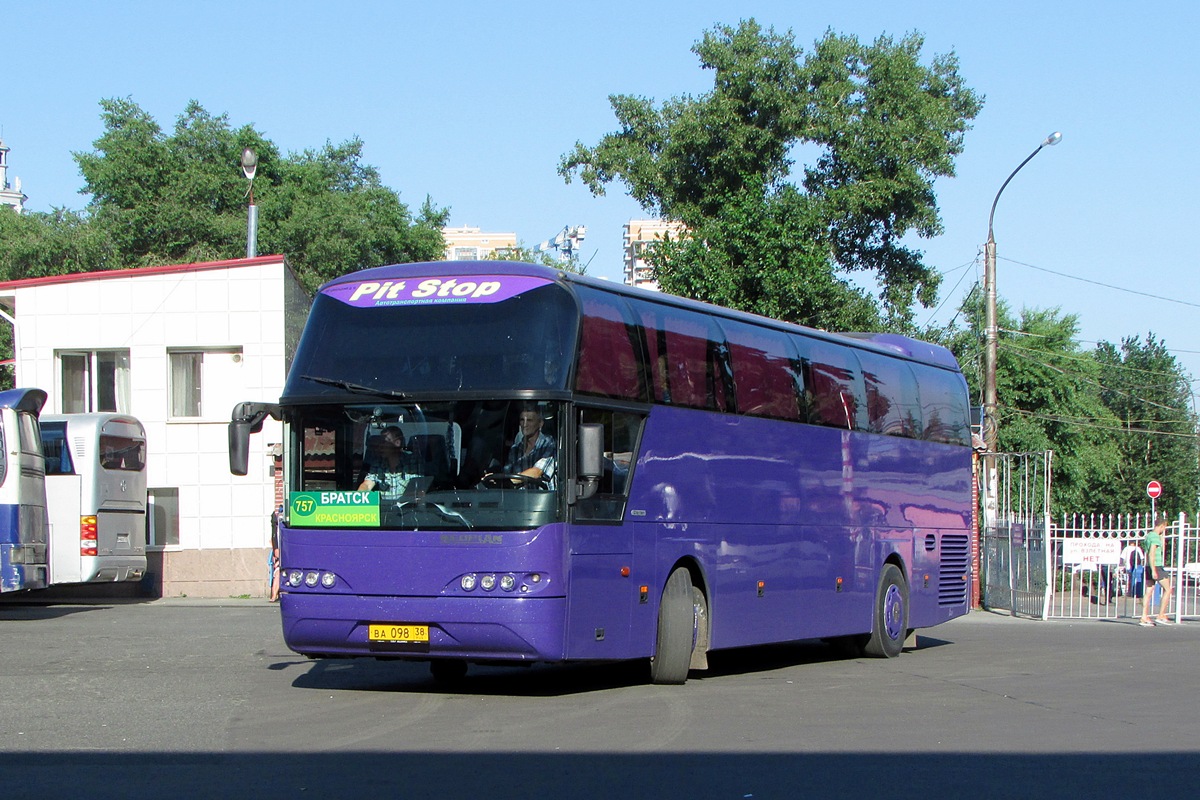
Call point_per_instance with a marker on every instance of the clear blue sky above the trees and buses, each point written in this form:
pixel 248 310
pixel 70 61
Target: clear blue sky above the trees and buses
pixel 475 103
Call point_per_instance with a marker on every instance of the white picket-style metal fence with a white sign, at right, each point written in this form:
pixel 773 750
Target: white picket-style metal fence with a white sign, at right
pixel 1096 568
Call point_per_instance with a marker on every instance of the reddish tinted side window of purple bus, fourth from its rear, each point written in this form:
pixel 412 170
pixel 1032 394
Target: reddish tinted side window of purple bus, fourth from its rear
pixel 766 378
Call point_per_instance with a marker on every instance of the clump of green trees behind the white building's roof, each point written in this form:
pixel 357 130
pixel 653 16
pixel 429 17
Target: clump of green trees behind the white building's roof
pixel 159 199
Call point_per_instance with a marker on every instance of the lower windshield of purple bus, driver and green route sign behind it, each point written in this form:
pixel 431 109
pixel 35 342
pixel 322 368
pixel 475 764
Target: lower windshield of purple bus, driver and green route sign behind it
pixel 437 466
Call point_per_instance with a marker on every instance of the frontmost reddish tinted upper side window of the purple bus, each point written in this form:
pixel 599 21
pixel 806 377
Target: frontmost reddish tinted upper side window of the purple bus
pixel 610 352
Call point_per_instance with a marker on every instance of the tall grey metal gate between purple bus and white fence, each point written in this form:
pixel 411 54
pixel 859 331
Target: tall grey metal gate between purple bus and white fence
pixel 1015 534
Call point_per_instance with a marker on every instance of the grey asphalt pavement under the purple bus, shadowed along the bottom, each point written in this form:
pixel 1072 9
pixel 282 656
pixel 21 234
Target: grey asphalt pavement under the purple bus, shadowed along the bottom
pixel 201 699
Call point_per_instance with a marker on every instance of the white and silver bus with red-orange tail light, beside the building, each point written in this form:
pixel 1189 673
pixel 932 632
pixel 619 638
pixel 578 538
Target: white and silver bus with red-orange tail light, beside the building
pixel 97 495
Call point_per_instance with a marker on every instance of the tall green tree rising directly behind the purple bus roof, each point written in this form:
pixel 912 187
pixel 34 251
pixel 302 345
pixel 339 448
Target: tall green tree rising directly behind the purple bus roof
pixel 885 128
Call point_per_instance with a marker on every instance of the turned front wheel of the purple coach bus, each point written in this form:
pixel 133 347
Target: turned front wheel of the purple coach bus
pixel 683 628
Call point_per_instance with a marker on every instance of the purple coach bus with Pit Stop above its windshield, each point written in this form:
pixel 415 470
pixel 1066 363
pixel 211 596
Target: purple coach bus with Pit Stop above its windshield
pixel 499 462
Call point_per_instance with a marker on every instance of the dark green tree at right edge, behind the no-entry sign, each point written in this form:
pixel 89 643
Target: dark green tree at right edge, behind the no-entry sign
pixel 1150 395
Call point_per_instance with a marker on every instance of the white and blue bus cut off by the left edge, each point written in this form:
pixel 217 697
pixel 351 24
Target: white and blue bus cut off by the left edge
pixel 23 522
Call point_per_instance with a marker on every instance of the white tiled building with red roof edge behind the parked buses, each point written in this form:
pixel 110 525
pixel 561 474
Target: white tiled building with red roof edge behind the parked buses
pixel 176 347
